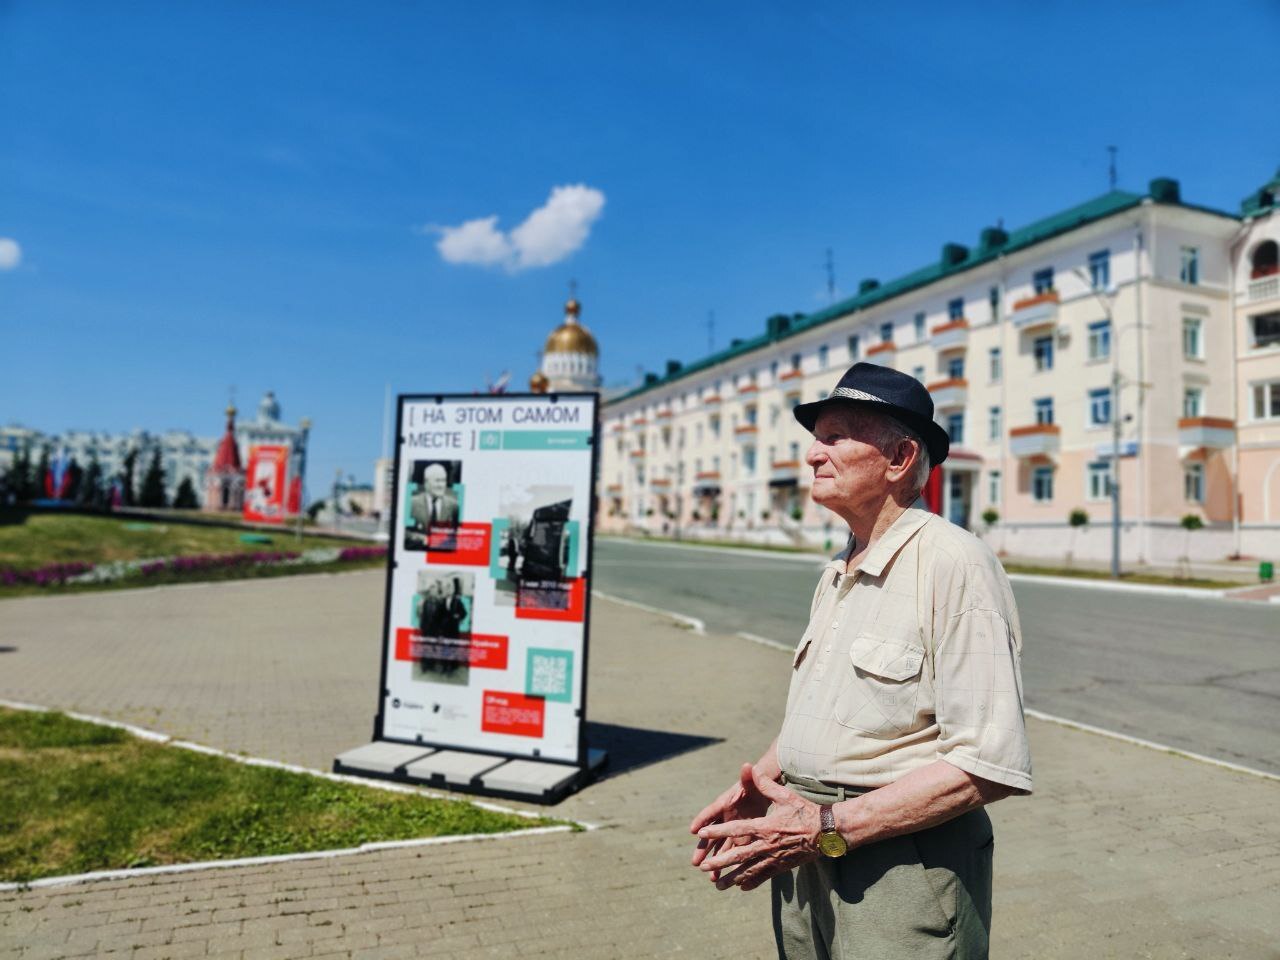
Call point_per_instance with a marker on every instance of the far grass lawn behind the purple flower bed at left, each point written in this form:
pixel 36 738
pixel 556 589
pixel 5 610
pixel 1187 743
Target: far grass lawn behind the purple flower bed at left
pixel 33 540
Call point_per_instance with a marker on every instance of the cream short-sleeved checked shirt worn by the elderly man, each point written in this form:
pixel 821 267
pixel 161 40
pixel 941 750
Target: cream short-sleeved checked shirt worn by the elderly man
pixel 909 659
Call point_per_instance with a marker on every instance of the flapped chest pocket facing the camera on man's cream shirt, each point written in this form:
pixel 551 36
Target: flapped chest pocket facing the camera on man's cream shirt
pixel 881 687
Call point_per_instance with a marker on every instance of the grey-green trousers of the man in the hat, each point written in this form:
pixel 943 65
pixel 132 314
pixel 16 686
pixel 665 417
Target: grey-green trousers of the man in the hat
pixel 921 897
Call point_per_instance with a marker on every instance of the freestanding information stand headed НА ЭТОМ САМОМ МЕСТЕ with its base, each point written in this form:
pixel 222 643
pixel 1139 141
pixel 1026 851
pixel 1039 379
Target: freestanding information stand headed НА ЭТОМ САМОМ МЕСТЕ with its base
pixel 488 598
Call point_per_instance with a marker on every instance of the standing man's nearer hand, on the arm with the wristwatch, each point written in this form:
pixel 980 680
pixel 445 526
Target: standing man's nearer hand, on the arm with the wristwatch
pixel 764 847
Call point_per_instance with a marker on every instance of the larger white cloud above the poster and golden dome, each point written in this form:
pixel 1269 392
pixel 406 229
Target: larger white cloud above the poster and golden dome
pixel 551 234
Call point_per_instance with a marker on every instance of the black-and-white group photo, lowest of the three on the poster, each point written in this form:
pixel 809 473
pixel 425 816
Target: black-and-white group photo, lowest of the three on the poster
pixel 442 620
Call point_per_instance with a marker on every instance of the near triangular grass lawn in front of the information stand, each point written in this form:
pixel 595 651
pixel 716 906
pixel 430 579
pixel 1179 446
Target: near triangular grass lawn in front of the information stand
pixel 79 797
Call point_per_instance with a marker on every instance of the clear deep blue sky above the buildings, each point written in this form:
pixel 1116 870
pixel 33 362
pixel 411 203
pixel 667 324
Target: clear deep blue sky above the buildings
pixel 243 194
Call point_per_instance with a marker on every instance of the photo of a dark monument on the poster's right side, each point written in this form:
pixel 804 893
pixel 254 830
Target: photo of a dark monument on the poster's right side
pixel 534 546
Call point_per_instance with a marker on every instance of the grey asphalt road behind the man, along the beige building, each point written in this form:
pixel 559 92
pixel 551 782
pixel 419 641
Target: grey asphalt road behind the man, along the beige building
pixel 1196 674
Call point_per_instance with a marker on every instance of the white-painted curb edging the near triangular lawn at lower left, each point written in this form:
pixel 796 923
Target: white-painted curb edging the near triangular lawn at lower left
pixel 144 734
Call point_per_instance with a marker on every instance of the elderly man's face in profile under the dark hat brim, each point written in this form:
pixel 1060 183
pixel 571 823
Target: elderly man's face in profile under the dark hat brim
pixel 849 470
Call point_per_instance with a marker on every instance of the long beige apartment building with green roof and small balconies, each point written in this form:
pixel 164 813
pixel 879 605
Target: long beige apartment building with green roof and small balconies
pixel 1136 309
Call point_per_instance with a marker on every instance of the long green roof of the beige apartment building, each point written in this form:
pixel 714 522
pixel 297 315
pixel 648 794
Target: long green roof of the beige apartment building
pixel 956 260
